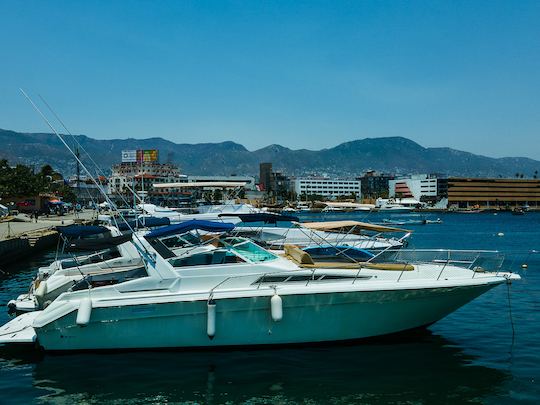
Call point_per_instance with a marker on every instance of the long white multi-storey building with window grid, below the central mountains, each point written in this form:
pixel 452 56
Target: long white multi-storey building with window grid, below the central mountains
pixel 325 187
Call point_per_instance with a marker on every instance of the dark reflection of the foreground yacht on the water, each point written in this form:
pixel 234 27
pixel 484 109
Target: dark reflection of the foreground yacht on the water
pixel 409 368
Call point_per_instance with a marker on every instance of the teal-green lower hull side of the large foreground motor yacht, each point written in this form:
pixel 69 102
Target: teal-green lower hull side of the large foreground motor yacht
pixel 308 318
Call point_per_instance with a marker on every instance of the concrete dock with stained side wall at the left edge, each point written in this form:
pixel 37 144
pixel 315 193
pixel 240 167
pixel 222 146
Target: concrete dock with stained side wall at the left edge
pixel 22 237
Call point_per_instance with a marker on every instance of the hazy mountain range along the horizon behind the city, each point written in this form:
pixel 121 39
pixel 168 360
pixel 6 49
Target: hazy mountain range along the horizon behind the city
pixel 392 154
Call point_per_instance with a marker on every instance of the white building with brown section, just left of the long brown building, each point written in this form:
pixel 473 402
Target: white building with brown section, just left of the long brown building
pixel 421 187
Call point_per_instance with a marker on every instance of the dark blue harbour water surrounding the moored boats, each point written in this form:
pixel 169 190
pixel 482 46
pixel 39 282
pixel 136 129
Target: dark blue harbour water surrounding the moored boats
pixel 470 356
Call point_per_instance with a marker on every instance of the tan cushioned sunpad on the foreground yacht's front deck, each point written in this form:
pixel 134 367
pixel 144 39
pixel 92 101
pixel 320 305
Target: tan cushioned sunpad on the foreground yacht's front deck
pixel 304 259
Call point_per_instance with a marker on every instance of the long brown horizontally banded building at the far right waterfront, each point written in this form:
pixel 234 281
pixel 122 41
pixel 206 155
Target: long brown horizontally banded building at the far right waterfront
pixel 493 193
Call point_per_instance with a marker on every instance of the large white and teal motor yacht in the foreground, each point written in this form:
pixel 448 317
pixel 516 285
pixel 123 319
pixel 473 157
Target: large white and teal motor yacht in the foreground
pixel 236 293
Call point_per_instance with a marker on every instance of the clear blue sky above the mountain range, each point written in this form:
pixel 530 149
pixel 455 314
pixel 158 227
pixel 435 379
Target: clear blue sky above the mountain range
pixel 303 74
